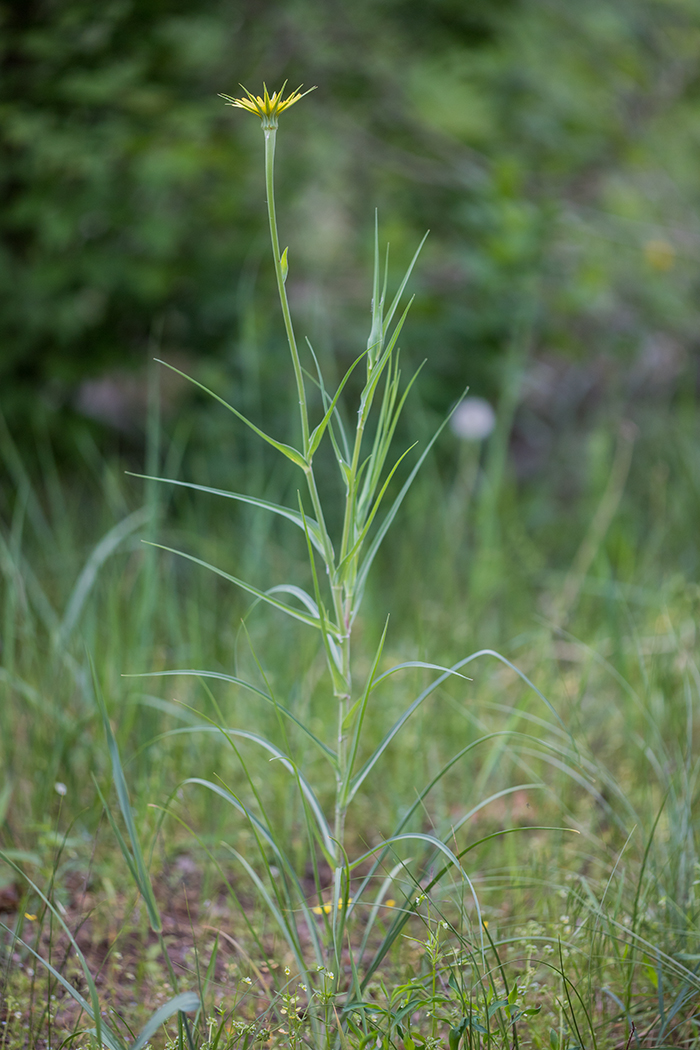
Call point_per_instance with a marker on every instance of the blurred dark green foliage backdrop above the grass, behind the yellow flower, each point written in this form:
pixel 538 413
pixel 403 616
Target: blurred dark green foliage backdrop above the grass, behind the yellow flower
pixel 553 151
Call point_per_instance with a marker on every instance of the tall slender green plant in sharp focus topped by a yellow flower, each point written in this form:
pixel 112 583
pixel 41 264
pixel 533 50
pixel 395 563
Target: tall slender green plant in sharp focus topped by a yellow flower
pixel 340 568
